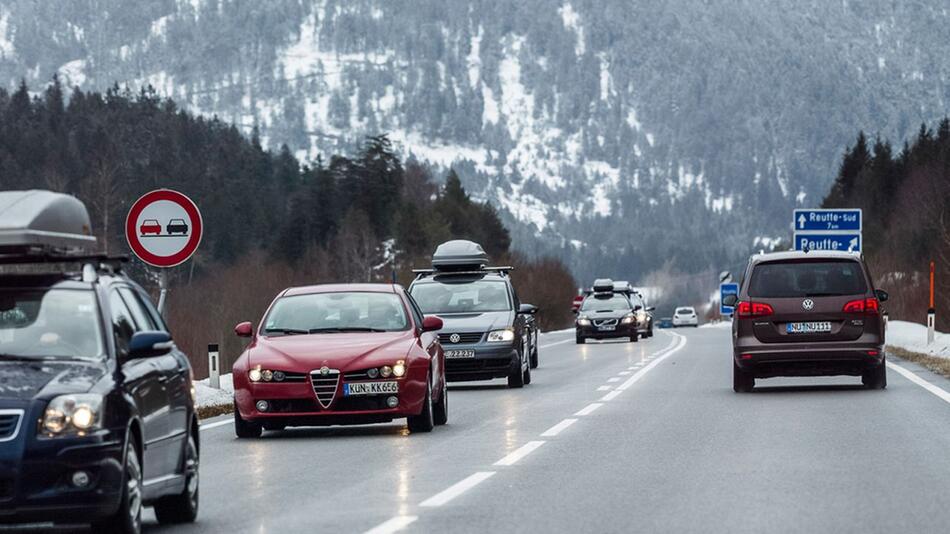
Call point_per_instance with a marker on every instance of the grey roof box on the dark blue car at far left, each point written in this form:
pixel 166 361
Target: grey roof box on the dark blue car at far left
pixel 39 221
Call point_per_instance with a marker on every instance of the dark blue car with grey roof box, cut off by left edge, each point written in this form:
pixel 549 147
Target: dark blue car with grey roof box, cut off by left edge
pixel 97 413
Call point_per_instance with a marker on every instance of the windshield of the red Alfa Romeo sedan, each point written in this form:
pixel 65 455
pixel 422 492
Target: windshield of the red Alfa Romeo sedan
pixel 336 312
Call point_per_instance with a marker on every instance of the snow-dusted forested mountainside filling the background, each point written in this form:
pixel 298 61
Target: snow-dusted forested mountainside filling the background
pixel 615 134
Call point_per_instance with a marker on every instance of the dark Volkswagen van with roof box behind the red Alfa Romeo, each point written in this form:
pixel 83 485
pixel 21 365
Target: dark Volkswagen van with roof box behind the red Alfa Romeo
pixel 487 332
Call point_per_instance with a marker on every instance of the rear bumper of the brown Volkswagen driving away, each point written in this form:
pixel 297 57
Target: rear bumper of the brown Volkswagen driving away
pixel 808 359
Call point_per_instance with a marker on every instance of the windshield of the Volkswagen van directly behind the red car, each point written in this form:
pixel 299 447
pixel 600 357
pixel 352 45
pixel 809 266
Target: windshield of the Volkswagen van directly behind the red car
pixel 479 296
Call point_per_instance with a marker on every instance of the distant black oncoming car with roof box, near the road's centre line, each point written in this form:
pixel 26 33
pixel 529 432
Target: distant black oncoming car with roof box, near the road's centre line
pixel 606 316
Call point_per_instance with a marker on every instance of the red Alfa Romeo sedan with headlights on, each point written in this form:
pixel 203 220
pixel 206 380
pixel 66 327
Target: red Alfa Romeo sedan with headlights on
pixel 338 355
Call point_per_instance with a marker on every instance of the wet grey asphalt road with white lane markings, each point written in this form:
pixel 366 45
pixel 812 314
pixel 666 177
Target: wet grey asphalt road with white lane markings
pixel 610 437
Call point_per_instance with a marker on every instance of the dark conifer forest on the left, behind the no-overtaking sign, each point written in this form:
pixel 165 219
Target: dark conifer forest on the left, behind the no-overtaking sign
pixel 270 222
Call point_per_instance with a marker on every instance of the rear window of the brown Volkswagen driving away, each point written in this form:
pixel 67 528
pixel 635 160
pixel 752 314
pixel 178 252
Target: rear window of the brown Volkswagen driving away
pixel 807 279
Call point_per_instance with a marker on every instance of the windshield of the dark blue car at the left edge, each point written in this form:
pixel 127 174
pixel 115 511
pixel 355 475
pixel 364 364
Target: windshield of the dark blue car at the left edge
pixel 50 324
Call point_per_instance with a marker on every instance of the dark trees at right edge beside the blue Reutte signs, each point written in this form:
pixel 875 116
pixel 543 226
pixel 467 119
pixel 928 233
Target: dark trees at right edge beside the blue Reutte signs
pixel 905 195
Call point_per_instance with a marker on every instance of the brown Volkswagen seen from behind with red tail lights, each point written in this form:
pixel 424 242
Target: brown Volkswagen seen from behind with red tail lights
pixel 807 314
